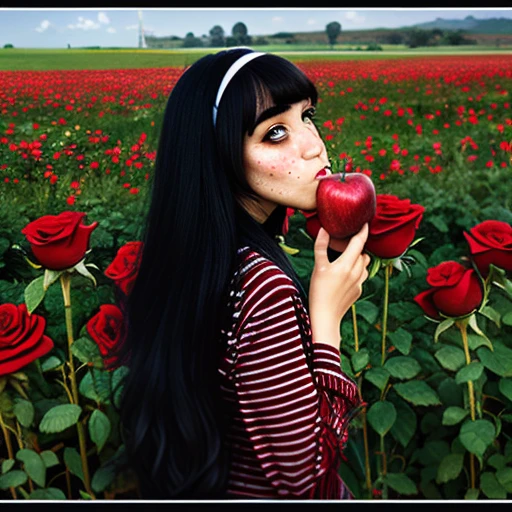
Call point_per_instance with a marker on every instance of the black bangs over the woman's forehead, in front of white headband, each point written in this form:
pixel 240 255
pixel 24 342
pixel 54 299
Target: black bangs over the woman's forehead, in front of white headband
pixel 270 80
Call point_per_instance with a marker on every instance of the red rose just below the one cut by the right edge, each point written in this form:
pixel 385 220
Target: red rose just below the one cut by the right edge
pixel 456 291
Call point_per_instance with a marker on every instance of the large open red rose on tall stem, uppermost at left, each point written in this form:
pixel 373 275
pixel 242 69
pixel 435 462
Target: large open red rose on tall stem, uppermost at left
pixel 59 241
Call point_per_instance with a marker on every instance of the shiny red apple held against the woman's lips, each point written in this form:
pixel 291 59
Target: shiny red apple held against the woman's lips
pixel 345 202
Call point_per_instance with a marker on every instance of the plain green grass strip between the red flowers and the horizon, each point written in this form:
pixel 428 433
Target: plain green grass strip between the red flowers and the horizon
pixel 55 59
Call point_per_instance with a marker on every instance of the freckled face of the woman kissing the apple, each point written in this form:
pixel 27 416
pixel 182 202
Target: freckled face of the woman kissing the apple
pixel 282 157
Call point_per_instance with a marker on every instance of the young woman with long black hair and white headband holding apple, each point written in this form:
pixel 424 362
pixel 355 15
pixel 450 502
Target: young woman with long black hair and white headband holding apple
pixel 235 389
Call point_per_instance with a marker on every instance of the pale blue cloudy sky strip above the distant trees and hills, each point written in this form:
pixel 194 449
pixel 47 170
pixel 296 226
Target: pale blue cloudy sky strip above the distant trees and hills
pixel 56 28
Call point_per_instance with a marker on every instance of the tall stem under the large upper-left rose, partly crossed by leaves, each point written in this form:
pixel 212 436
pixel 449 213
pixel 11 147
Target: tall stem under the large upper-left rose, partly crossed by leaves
pixel 65 281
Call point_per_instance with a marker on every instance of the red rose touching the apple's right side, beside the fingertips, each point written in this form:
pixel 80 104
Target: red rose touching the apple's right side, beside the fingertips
pixel 393 227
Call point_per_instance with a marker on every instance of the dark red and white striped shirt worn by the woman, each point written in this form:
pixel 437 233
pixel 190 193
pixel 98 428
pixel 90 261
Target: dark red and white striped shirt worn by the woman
pixel 289 402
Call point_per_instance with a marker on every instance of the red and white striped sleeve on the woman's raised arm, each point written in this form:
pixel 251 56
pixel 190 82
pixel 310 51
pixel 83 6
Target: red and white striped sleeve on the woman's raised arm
pixel 292 411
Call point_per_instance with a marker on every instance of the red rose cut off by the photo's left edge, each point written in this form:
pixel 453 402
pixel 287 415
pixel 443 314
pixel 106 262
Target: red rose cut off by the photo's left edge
pixel 21 338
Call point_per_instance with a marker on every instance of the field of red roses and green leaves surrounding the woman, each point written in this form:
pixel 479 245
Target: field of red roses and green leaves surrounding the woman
pixel 429 342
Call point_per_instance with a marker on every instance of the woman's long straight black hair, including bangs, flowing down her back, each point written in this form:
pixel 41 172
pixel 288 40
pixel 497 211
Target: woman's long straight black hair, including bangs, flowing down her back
pixel 172 418
